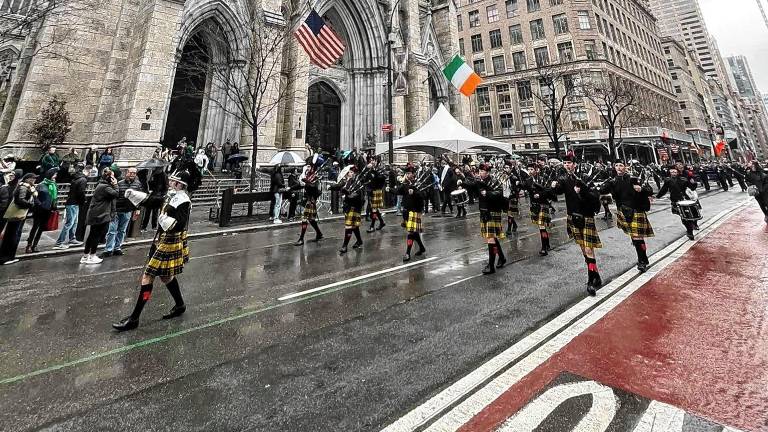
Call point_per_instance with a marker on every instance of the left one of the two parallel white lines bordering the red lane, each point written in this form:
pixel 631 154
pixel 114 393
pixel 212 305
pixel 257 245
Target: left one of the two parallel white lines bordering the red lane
pixel 421 415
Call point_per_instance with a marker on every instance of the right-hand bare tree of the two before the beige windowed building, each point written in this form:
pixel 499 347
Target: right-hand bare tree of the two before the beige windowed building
pixel 614 98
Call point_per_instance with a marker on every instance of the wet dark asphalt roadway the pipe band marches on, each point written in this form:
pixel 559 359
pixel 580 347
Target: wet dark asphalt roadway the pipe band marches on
pixel 353 356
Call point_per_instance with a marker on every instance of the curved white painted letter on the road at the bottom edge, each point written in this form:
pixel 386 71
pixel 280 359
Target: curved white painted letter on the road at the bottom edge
pixel 598 418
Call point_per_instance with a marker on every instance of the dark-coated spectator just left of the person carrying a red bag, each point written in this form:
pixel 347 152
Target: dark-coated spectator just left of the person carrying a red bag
pixel 23 200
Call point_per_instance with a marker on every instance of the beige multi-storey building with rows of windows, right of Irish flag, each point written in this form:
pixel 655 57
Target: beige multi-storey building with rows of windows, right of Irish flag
pixel 508 42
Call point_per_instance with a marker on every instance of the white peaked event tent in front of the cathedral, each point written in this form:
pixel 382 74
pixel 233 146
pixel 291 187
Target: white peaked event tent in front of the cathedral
pixel 443 133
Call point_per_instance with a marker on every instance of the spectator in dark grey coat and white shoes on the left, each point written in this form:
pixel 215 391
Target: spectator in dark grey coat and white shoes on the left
pixel 100 213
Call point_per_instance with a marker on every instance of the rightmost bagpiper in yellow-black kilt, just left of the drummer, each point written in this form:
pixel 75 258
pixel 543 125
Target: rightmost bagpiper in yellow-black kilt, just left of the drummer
pixel 633 202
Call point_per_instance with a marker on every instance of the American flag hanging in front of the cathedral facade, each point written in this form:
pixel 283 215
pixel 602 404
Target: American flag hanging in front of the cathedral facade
pixel 318 39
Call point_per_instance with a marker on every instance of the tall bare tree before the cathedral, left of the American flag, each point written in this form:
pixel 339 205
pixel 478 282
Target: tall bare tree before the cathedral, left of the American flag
pixel 252 80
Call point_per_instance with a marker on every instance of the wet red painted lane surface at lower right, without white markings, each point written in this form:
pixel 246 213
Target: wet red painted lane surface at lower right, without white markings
pixel 694 337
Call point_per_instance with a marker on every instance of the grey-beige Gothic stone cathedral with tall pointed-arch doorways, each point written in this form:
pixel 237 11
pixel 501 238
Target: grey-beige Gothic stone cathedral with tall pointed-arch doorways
pixel 119 70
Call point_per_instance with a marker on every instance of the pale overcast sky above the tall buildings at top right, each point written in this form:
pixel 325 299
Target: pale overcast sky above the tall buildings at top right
pixel 740 30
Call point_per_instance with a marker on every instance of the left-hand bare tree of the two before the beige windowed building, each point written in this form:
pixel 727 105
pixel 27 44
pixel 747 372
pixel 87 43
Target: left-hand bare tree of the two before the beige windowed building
pixel 556 85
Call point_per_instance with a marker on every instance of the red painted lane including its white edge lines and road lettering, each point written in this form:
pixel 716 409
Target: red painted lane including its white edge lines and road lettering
pixel 681 348
